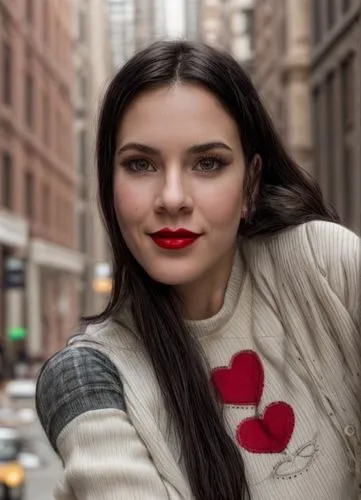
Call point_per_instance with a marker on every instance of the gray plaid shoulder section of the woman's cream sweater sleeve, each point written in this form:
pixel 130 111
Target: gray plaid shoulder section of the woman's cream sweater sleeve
pixel 72 382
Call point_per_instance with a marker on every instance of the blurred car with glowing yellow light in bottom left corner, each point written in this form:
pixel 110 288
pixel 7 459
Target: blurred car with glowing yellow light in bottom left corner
pixel 12 473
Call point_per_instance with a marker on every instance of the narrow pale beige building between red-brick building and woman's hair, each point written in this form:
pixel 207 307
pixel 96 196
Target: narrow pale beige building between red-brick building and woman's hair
pixel 93 69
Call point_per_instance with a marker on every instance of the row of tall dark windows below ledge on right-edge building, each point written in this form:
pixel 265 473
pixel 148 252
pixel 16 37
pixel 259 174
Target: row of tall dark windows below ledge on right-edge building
pixel 334 122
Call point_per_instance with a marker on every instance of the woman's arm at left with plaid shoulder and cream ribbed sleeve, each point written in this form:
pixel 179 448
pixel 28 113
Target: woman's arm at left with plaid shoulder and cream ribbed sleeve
pixel 81 407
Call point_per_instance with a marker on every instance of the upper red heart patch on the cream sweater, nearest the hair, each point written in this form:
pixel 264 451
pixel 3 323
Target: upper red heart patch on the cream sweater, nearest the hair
pixel 242 382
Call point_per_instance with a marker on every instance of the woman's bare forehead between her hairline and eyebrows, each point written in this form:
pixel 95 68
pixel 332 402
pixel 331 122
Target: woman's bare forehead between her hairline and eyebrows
pixel 181 113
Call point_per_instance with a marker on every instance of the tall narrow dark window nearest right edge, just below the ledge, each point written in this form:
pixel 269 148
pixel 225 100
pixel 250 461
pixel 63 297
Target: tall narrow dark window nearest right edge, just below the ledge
pixel 348 89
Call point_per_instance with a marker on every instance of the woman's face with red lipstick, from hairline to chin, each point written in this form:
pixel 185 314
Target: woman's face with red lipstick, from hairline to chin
pixel 179 165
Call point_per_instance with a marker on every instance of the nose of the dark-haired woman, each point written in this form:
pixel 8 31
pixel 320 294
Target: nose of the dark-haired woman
pixel 174 195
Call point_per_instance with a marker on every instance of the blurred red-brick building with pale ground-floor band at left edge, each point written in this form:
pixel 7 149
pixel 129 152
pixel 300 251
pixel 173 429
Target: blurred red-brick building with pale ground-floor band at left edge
pixel 39 263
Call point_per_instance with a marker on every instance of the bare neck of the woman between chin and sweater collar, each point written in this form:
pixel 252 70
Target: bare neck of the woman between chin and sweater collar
pixel 203 298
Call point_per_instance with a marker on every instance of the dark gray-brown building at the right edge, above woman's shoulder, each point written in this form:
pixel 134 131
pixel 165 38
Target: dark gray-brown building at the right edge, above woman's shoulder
pixel 336 104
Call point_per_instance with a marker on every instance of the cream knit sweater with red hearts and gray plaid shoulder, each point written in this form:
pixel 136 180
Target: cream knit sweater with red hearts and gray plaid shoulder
pixel 284 352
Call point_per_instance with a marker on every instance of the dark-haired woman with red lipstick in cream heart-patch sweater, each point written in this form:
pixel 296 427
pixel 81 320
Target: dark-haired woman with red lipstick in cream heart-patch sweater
pixel 226 364
